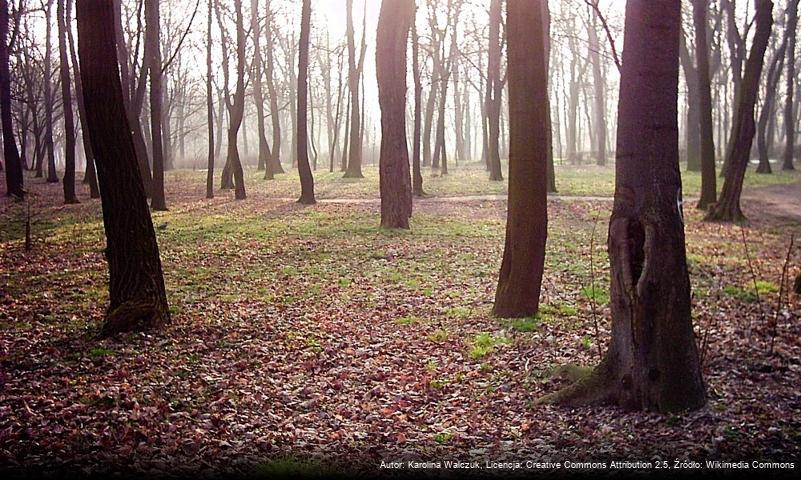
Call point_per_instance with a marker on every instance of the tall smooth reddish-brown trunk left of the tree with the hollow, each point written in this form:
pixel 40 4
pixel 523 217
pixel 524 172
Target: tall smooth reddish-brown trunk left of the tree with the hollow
pixel 518 292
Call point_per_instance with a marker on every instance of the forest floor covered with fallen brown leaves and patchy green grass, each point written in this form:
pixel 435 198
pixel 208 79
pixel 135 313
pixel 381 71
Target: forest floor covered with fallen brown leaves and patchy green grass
pixel 307 338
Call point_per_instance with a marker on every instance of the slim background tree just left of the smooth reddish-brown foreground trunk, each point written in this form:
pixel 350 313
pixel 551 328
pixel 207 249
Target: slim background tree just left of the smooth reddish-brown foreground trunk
pixel 494 91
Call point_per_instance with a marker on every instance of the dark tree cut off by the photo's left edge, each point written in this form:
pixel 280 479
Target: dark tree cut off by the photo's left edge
pixel 13 163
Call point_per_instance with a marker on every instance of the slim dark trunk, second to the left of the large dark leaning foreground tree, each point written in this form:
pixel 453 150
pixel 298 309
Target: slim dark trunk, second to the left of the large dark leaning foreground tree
pixel 66 95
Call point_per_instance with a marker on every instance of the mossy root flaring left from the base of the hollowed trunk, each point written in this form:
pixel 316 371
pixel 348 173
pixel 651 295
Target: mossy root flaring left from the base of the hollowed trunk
pixel 589 387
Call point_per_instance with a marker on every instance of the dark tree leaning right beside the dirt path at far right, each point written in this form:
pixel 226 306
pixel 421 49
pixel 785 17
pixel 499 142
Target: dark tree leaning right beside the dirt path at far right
pixel 743 129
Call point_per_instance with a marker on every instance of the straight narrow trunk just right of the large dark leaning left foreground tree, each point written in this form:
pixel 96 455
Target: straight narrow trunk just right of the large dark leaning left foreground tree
pixel 153 39
